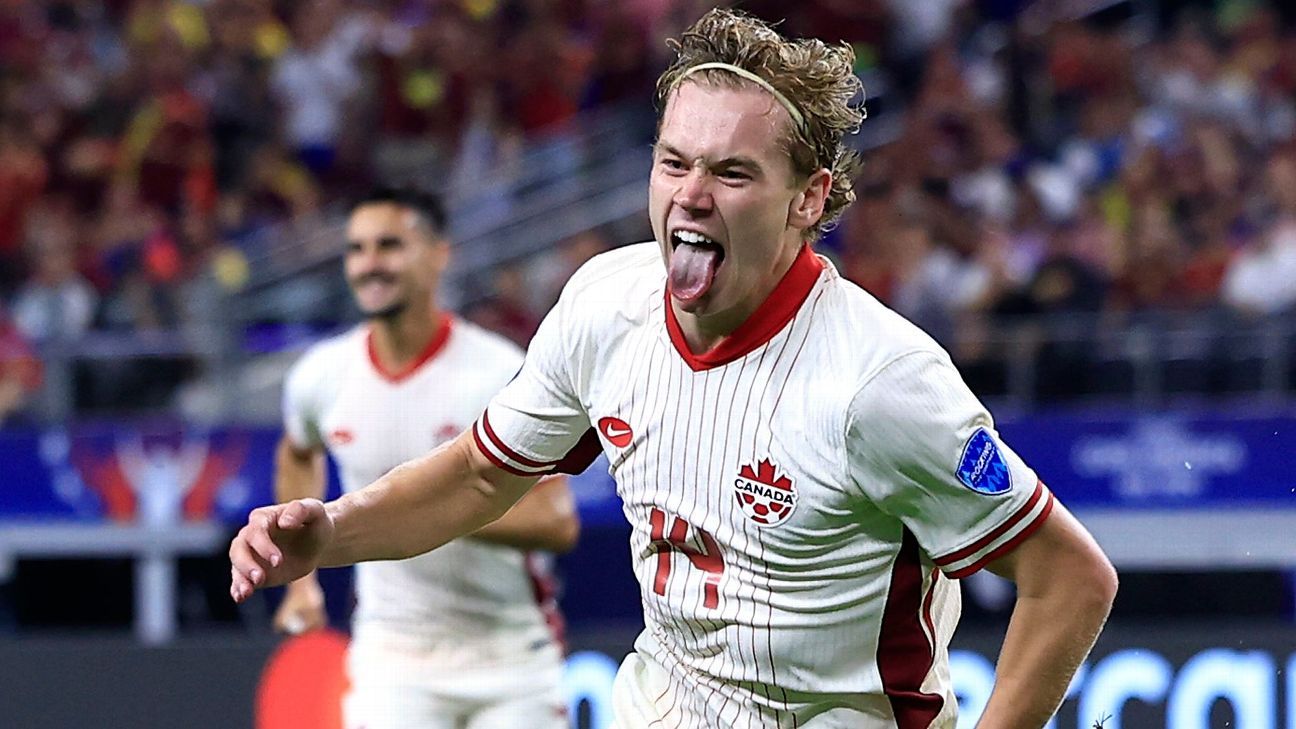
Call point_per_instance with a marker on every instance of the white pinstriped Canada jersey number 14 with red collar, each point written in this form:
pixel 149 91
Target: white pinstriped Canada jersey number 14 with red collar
pixel 800 496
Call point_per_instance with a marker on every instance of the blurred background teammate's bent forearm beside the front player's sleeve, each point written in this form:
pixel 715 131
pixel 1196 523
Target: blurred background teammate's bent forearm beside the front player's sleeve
pixel 544 520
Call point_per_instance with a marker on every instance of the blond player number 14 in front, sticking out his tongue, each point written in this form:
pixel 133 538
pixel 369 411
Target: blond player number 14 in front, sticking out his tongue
pixel 805 473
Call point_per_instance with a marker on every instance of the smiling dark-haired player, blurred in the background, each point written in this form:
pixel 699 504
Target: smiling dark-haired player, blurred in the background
pixel 466 638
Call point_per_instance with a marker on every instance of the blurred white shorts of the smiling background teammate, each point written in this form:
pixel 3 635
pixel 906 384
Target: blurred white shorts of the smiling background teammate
pixel 399 684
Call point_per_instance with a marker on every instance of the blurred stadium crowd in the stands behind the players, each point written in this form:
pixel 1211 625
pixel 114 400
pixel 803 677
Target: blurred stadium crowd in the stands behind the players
pixel 1102 163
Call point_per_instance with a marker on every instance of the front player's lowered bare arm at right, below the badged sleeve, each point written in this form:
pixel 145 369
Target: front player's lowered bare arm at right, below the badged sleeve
pixel 1066 588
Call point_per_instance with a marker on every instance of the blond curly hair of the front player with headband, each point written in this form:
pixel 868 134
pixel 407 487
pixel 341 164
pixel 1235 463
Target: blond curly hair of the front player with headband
pixel 818 80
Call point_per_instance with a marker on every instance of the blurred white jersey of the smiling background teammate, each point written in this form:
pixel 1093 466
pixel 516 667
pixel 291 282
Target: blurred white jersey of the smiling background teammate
pixel 371 421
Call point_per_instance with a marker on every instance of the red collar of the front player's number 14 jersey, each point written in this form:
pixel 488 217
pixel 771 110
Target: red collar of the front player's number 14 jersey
pixel 774 313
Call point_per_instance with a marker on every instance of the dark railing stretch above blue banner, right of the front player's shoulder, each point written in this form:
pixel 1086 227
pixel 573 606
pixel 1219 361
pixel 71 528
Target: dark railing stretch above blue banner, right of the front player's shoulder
pixel 1151 359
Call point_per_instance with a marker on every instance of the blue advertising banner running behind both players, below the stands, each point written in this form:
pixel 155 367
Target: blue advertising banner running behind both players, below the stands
pixel 1129 461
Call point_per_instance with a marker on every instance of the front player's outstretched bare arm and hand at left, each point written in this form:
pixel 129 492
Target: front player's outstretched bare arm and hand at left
pixel 415 508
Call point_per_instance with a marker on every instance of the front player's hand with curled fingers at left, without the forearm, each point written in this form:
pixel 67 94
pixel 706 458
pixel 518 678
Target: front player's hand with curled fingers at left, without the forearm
pixel 278 545
